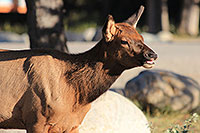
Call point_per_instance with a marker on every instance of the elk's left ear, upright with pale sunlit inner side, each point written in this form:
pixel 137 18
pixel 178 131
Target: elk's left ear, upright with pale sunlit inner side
pixel 109 29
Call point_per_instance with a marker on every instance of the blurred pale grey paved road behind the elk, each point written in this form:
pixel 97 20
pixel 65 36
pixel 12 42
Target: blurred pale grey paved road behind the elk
pixel 182 57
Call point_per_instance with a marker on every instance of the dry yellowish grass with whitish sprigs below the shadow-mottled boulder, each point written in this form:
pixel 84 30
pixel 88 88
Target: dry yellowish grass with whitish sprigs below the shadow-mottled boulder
pixel 173 123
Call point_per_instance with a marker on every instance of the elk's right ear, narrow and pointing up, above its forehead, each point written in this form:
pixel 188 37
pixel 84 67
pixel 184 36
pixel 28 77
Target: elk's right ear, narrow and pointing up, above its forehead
pixel 133 20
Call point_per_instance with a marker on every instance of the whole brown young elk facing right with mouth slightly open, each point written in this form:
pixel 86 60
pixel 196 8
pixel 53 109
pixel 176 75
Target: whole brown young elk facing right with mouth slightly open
pixel 50 91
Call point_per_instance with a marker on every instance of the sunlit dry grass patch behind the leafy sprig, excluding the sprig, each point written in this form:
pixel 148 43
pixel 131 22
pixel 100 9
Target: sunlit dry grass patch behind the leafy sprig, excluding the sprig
pixel 160 123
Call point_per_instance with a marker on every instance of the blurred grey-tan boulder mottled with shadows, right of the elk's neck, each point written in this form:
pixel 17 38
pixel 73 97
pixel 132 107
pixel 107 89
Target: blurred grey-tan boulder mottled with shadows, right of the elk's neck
pixel 160 89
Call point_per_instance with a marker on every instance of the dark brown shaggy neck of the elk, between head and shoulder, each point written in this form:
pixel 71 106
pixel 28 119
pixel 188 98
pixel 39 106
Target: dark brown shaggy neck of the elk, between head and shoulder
pixel 92 73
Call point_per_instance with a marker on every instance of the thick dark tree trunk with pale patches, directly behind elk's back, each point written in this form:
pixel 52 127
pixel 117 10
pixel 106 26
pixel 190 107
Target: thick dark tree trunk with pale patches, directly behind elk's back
pixel 45 24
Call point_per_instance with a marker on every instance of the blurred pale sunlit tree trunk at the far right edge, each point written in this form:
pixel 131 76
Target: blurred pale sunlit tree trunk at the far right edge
pixel 189 18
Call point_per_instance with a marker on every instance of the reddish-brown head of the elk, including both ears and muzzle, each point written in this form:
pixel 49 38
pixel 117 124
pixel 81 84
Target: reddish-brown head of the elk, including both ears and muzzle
pixel 125 45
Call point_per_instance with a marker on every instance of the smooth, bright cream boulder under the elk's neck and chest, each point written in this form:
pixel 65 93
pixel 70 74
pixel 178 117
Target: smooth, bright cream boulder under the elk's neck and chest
pixel 113 113
